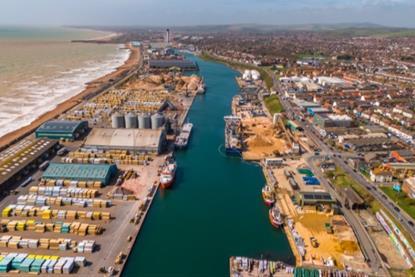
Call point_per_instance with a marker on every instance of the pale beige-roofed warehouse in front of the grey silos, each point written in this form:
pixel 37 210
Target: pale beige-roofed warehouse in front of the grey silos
pixel 135 140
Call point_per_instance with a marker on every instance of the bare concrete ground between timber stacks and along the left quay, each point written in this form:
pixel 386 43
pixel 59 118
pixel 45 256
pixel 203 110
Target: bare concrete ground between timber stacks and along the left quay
pixel 123 213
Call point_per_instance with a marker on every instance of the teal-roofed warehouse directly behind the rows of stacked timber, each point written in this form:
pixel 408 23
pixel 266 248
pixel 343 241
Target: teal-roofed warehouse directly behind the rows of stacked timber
pixel 80 172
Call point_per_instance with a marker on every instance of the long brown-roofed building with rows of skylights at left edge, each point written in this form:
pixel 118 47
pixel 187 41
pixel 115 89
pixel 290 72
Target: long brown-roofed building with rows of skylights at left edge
pixel 23 157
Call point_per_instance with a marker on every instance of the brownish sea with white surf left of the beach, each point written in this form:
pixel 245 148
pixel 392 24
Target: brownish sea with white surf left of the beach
pixel 41 67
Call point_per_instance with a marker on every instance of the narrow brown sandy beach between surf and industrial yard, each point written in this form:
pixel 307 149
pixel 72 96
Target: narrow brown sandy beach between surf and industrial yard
pixel 91 88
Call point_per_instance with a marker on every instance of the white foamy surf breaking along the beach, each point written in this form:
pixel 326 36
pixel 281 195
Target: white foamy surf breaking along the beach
pixel 34 98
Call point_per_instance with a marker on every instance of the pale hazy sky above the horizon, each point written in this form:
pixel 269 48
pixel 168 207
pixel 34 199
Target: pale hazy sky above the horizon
pixel 205 12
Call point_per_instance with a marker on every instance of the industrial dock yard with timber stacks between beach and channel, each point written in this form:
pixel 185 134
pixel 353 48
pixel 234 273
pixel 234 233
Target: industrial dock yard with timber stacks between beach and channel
pixel 89 176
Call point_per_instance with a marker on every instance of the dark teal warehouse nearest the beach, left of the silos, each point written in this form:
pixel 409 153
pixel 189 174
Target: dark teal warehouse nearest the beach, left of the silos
pixel 62 129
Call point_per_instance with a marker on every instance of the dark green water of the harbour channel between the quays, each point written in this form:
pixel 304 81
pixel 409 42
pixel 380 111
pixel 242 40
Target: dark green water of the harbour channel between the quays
pixel 214 209
